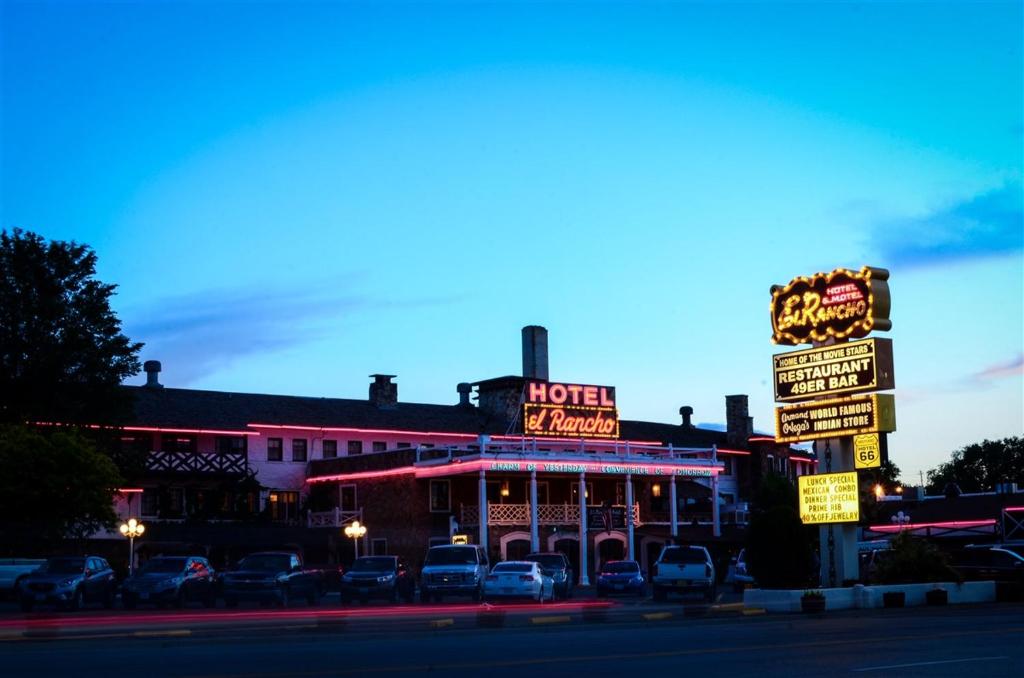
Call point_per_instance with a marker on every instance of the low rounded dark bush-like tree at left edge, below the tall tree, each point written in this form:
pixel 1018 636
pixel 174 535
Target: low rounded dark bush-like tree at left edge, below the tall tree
pixel 55 485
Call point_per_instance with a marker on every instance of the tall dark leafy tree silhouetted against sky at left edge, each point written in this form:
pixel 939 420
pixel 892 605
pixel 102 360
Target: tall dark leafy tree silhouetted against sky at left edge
pixel 63 355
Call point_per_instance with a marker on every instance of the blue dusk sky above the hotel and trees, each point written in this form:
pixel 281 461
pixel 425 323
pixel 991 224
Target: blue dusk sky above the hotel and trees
pixel 294 196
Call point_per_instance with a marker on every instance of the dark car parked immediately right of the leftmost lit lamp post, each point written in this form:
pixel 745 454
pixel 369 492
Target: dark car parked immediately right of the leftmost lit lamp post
pixel 175 580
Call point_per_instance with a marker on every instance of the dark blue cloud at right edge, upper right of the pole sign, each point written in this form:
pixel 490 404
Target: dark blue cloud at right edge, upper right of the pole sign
pixel 989 224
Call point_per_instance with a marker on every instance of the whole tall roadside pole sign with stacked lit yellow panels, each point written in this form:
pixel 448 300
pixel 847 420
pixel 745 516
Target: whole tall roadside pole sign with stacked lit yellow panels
pixel 829 311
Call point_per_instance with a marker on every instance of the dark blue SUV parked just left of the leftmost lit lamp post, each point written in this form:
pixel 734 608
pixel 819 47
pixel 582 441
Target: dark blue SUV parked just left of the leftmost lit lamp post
pixel 69 582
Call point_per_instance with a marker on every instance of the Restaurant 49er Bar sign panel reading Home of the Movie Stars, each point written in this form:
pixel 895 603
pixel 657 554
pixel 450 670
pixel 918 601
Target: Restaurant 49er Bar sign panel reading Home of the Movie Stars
pixel 851 368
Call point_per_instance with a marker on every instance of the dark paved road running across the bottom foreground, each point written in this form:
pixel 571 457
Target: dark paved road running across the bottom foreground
pixel 953 642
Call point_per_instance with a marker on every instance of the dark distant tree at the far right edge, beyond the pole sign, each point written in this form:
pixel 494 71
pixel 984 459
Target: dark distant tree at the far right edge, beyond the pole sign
pixel 980 468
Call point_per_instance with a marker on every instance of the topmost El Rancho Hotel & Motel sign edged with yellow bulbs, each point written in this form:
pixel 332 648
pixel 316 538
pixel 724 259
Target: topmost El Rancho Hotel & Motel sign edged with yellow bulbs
pixel 841 305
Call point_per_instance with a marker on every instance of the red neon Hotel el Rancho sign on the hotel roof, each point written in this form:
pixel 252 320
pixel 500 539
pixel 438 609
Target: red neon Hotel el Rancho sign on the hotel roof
pixel 574 411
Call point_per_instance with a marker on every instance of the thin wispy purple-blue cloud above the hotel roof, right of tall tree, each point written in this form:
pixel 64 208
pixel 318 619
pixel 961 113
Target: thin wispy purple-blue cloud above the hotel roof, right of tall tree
pixel 203 332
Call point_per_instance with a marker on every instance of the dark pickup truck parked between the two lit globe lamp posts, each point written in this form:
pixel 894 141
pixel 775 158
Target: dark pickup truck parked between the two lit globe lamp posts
pixel 272 577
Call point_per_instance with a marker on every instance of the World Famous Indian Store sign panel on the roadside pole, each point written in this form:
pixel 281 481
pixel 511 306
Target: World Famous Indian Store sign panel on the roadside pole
pixel 836 417
